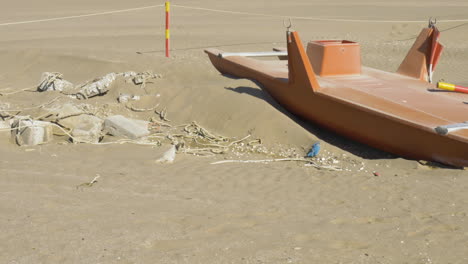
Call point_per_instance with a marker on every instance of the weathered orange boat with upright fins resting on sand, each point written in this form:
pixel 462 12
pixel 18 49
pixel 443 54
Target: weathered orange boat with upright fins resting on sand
pixel 395 112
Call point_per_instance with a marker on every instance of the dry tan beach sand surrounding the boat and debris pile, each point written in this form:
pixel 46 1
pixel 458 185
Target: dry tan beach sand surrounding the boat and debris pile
pixel 194 212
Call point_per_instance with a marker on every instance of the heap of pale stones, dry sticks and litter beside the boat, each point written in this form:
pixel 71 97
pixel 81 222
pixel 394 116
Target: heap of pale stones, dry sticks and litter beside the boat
pixel 98 123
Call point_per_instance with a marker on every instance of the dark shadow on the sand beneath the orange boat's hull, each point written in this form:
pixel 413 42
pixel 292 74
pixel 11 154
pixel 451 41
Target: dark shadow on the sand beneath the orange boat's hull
pixel 326 135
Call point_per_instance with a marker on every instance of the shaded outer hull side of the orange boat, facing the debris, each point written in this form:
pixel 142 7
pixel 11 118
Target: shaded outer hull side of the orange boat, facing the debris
pixel 394 134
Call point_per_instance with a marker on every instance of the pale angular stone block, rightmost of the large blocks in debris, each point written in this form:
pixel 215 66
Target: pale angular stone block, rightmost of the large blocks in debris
pixel 121 126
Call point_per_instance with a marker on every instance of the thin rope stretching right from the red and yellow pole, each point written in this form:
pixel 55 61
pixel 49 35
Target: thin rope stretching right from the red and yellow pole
pixel 316 18
